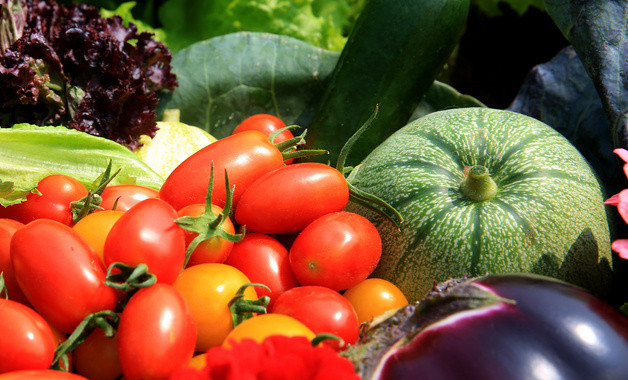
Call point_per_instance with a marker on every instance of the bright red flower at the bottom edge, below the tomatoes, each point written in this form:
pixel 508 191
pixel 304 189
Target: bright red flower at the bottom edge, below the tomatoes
pixel 276 358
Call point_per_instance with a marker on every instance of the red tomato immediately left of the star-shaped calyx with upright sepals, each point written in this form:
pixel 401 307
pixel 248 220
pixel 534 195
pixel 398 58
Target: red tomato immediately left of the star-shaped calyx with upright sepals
pixel 147 234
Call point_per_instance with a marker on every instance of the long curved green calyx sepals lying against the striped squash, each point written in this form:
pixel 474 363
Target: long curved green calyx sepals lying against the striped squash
pixel 356 195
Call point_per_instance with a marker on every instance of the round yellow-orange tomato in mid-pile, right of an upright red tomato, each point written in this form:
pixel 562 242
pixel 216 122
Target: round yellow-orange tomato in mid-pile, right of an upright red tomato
pixel 208 288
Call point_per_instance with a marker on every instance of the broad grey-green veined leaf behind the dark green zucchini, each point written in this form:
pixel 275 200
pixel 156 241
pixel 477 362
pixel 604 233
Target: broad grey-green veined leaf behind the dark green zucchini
pixel 228 78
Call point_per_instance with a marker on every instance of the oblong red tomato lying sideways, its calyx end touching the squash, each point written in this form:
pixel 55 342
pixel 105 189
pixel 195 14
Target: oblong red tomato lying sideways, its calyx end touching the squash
pixel 288 199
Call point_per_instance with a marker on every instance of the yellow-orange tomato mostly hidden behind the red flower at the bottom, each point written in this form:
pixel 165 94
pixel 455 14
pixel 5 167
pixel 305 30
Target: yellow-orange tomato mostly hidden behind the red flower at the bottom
pixel 262 326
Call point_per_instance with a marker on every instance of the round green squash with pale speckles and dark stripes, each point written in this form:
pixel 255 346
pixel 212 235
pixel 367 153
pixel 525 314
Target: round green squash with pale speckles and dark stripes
pixel 486 191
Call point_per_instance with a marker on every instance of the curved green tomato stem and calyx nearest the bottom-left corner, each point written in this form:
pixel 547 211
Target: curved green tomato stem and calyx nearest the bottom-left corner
pixel 106 320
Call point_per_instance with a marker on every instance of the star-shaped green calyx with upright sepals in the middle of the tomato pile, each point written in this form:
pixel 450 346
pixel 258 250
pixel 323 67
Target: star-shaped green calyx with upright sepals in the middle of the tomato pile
pixel 208 225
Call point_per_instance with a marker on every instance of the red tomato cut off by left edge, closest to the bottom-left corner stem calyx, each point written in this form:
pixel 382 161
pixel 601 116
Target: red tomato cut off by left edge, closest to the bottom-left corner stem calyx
pixel 27 341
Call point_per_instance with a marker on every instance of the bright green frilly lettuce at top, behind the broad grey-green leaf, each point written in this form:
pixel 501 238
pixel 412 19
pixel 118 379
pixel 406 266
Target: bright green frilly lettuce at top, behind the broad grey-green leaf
pixel 322 23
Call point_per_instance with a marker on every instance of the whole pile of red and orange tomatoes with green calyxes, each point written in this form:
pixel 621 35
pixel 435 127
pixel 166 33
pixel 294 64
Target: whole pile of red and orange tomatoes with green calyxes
pixel 239 242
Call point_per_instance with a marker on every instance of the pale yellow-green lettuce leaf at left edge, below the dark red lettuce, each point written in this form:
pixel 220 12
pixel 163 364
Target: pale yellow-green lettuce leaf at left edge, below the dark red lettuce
pixel 29 153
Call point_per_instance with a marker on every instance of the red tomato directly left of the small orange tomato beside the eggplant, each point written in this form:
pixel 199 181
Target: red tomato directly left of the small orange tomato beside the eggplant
pixel 321 309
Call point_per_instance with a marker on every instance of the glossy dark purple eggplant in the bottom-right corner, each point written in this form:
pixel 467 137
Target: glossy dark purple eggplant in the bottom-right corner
pixel 497 327
